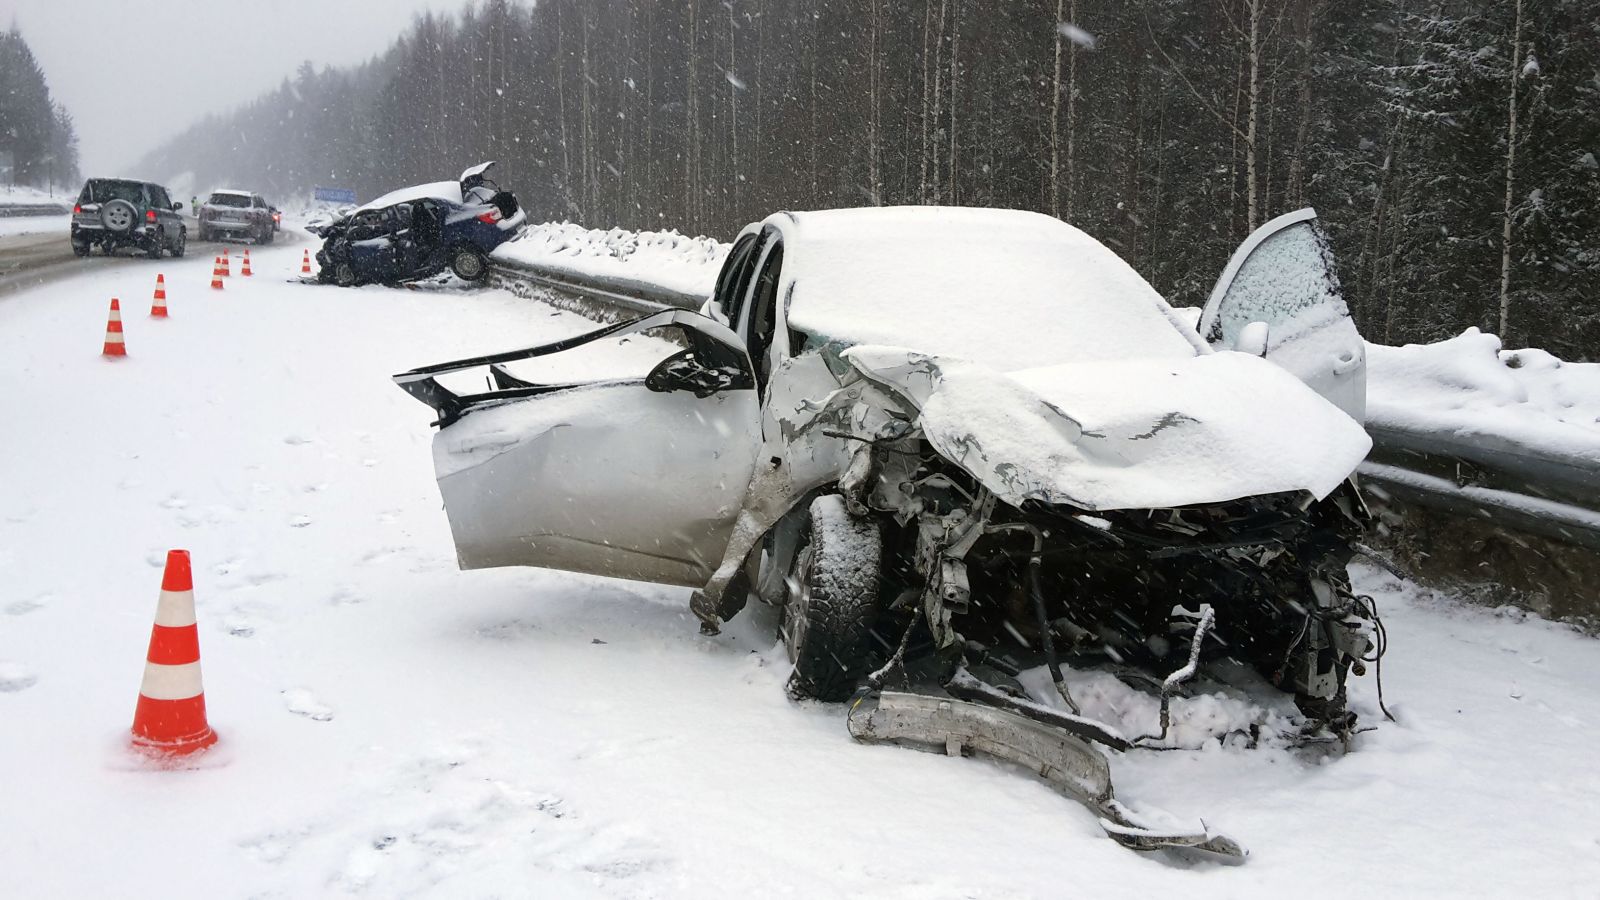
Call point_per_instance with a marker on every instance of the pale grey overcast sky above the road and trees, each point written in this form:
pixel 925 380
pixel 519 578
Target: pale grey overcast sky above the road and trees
pixel 135 71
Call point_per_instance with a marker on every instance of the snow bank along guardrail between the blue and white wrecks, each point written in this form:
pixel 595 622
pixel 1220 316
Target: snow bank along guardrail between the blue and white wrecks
pixel 666 259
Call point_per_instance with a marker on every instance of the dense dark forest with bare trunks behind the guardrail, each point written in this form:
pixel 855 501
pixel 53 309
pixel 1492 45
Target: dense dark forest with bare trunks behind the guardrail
pixel 1449 145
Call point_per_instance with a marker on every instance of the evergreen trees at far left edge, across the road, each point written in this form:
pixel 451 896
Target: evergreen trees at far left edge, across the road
pixel 36 131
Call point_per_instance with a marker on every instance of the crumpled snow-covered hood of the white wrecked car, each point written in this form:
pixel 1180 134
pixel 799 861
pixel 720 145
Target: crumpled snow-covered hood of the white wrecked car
pixel 1126 435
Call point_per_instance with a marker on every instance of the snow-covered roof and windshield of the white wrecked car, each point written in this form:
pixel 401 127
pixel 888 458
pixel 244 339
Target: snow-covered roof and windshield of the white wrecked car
pixel 1002 287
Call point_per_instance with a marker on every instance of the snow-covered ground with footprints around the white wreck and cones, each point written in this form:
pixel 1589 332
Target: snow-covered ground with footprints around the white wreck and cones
pixel 396 728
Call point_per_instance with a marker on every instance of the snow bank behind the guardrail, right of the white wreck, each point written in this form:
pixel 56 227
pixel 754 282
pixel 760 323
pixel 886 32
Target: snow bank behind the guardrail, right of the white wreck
pixel 1471 388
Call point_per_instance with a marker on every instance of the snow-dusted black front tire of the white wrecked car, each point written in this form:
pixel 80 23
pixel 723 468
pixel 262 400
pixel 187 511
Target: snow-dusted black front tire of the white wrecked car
pixel 833 601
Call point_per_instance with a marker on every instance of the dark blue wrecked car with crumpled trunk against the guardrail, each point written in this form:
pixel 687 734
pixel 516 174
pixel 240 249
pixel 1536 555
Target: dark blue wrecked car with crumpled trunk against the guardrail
pixel 422 231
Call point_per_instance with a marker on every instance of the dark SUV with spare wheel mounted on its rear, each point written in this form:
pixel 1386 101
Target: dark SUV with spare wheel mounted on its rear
pixel 118 212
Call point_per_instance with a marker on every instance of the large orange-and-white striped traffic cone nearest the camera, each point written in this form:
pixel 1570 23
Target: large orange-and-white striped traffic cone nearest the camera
pixel 170 717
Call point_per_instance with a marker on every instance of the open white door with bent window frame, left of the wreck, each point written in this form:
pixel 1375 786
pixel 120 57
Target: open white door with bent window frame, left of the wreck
pixel 631 478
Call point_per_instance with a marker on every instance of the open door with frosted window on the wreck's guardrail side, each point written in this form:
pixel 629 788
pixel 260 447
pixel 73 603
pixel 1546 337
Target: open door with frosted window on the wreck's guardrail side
pixel 1281 299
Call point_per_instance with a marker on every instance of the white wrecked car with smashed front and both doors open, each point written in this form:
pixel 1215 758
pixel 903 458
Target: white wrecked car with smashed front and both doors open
pixel 959 435
